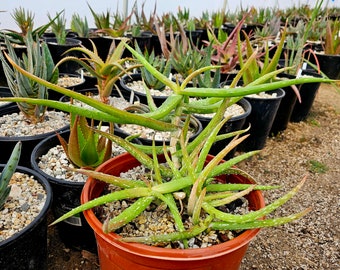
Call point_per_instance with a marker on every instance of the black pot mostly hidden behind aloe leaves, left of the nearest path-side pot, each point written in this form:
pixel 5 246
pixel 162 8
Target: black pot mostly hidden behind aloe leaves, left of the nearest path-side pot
pixel 233 124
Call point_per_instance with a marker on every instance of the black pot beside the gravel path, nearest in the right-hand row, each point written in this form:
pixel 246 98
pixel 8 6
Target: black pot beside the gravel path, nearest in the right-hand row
pixel 260 119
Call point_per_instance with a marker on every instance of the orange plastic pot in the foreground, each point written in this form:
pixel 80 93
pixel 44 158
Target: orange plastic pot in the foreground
pixel 114 254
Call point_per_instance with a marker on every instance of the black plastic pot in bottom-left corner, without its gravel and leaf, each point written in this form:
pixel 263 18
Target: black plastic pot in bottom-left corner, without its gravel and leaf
pixel 28 248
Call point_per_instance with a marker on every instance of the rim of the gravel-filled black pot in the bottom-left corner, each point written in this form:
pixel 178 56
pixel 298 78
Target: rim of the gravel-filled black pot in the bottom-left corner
pixel 42 180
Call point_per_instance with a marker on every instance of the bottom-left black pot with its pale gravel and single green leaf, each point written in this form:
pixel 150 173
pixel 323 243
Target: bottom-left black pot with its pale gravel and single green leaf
pixel 25 199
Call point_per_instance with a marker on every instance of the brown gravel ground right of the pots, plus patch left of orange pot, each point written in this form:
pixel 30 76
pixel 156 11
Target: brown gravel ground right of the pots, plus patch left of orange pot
pixel 308 148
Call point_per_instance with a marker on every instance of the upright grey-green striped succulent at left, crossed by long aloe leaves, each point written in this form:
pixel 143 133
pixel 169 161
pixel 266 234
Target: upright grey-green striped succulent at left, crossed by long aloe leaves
pixel 38 61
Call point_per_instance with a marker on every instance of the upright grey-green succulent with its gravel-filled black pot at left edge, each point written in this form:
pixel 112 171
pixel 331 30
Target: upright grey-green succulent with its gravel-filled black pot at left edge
pixel 31 122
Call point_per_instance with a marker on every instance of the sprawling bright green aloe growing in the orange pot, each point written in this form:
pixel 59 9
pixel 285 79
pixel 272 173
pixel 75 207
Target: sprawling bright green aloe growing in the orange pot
pixel 186 171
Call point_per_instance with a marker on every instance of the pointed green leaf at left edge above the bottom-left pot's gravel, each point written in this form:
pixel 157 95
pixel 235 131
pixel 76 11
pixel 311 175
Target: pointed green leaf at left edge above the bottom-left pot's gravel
pixel 8 172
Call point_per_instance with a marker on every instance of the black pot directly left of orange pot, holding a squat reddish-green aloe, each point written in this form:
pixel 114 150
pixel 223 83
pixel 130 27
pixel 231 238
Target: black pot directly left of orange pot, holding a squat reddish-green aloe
pixel 74 232
